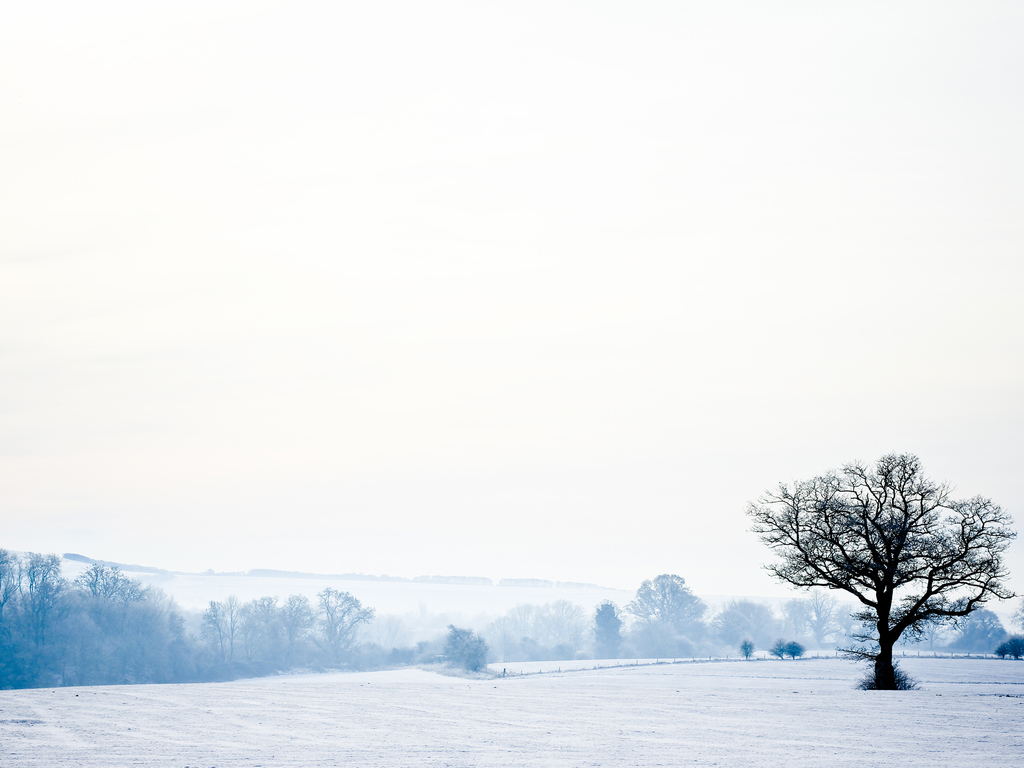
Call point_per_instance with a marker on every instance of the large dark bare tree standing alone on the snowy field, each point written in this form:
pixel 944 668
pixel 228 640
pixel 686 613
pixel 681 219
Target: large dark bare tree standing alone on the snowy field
pixel 895 541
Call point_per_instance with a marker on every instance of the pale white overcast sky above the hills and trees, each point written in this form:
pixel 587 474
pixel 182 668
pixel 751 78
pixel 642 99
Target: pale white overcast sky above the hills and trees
pixel 544 290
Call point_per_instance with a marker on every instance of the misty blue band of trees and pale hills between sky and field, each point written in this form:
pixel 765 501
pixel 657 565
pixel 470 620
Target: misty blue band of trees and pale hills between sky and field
pixel 73 622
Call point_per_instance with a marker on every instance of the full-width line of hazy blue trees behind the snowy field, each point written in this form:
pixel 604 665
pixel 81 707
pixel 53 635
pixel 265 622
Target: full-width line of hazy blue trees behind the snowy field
pixel 106 628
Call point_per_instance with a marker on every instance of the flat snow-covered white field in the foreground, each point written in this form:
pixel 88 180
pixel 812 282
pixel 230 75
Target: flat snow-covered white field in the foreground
pixel 968 712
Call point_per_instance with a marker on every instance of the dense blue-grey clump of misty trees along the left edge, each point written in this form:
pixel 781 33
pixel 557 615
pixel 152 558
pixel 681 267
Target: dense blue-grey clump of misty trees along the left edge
pixel 105 628
